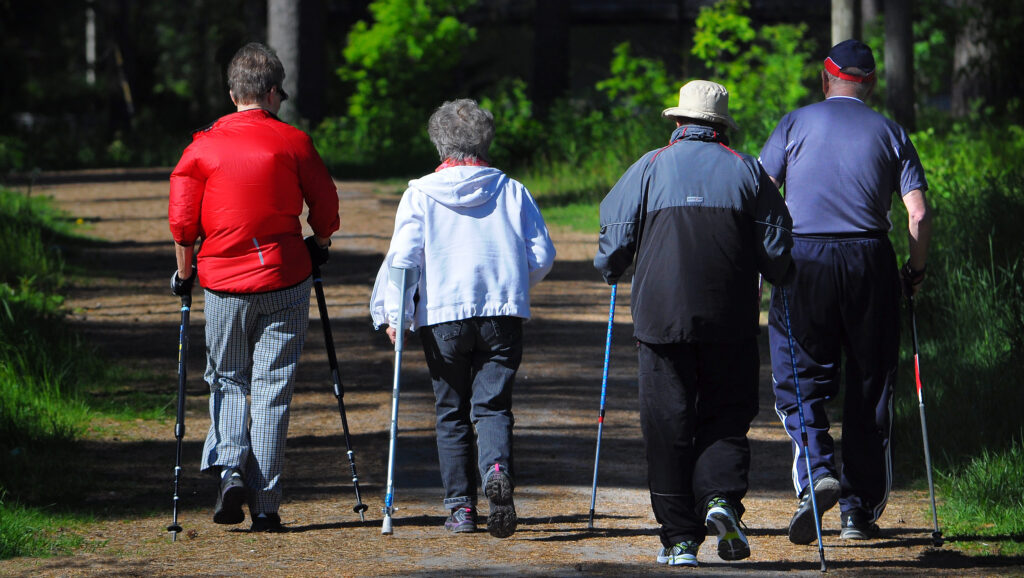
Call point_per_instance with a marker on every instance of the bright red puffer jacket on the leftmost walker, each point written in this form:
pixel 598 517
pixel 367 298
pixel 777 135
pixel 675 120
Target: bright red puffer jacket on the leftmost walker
pixel 240 187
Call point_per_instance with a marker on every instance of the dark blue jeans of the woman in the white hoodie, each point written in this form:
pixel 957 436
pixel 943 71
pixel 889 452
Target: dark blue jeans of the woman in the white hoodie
pixel 473 364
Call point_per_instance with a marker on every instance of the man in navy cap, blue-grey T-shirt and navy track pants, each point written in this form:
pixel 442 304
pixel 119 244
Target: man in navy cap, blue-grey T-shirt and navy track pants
pixel 839 163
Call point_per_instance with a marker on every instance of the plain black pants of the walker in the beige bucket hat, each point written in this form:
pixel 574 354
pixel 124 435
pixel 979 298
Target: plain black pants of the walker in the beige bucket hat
pixel 697 404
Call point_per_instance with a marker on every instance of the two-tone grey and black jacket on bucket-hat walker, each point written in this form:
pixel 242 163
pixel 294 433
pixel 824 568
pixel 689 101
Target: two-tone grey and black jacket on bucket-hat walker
pixel 707 221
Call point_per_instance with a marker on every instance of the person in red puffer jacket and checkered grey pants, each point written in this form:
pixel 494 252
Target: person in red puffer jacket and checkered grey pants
pixel 239 190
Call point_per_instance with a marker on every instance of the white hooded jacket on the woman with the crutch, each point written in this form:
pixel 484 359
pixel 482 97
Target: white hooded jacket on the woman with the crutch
pixel 480 243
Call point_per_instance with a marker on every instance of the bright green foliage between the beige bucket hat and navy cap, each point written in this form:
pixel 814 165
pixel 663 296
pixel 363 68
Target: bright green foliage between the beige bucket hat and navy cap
pixel 767 70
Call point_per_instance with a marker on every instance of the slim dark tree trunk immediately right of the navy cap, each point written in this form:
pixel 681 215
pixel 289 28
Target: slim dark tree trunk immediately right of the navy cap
pixel 900 63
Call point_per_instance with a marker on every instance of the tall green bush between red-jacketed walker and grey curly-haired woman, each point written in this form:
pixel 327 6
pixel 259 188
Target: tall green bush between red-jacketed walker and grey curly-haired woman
pixel 400 68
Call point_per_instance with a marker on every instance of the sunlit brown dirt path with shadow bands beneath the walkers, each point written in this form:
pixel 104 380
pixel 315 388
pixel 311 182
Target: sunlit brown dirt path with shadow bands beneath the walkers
pixel 127 311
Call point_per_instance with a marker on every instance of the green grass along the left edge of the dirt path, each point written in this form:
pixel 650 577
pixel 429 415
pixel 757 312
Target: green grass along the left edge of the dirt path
pixel 53 386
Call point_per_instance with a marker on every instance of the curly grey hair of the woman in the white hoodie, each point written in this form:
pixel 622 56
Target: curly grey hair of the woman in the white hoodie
pixel 461 130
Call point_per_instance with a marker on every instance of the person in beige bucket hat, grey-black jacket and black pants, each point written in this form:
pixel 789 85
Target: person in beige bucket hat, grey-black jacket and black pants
pixel 701 221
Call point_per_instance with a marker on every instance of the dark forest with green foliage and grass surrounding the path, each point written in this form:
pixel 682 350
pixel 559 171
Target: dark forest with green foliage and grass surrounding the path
pixel 577 89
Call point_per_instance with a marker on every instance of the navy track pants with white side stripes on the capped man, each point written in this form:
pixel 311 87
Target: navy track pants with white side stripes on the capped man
pixel 844 308
